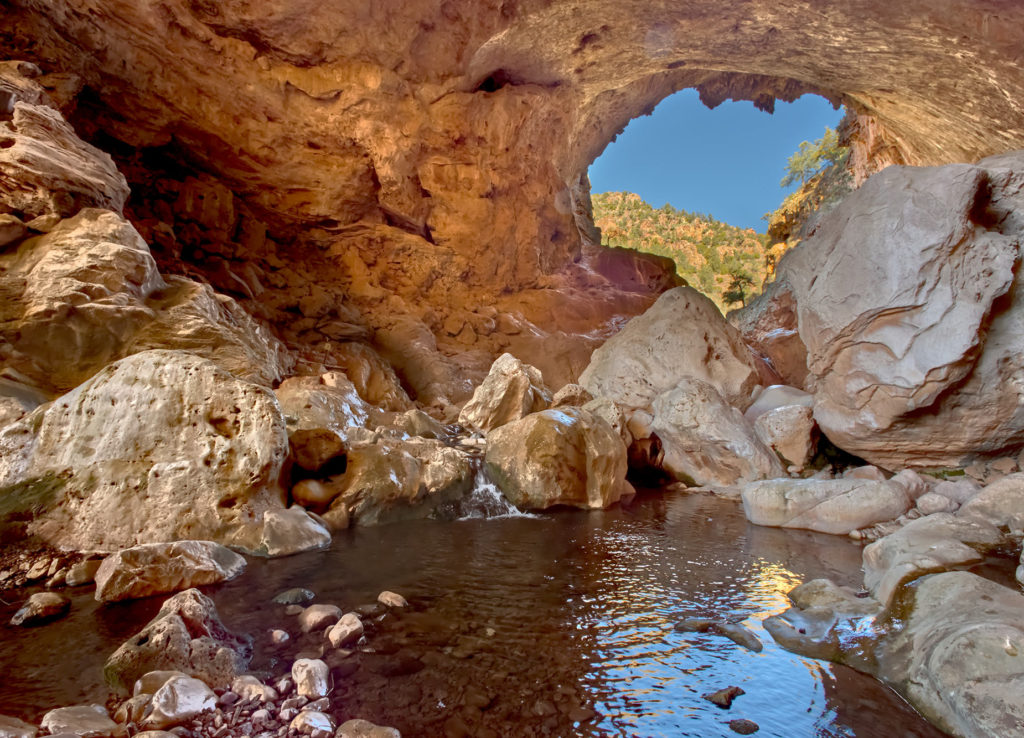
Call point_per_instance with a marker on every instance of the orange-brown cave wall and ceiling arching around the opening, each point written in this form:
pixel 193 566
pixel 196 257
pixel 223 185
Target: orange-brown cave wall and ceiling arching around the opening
pixel 411 173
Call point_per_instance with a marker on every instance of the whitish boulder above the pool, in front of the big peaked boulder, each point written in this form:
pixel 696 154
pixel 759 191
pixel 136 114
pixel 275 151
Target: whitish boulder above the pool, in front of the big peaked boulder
pixel 706 442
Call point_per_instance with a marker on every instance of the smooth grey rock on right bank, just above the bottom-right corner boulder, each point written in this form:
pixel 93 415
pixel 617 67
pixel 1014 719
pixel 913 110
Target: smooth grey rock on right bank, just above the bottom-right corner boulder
pixel 936 543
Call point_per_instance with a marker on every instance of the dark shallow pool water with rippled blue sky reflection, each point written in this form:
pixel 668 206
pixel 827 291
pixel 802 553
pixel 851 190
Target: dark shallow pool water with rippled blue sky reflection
pixel 559 626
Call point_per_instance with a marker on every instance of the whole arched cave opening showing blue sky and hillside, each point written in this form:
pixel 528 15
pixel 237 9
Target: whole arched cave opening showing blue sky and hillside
pixel 703 188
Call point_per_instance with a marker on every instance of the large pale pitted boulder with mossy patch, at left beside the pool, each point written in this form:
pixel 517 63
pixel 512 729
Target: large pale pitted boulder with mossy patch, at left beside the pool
pixel 159 447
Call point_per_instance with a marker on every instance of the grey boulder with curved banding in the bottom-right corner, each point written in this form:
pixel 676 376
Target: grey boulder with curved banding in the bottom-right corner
pixel 959 658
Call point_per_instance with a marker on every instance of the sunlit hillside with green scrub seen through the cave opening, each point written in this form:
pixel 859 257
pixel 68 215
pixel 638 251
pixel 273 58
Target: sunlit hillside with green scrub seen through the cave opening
pixel 720 261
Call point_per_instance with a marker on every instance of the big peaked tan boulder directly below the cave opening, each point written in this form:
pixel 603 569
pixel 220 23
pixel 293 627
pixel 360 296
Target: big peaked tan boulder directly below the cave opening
pixel 682 335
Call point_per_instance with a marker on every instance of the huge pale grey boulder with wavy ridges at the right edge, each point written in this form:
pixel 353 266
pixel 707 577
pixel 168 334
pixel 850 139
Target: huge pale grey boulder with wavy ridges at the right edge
pixel 912 318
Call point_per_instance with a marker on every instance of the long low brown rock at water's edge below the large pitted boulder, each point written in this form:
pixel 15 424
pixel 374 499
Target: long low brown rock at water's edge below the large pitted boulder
pixel 159 569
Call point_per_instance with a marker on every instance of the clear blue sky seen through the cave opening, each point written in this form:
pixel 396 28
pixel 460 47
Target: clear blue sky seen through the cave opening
pixel 727 162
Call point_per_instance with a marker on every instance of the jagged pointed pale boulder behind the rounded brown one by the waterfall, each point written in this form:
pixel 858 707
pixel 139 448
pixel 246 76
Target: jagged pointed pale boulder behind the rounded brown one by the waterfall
pixel 510 392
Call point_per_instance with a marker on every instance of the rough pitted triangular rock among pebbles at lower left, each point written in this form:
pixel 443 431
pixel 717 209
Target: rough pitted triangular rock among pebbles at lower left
pixel 188 636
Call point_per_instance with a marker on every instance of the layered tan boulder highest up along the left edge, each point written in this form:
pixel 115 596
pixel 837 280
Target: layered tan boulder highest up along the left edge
pixel 47 168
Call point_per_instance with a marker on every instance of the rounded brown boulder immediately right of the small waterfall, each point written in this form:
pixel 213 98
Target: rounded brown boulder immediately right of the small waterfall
pixel 566 457
